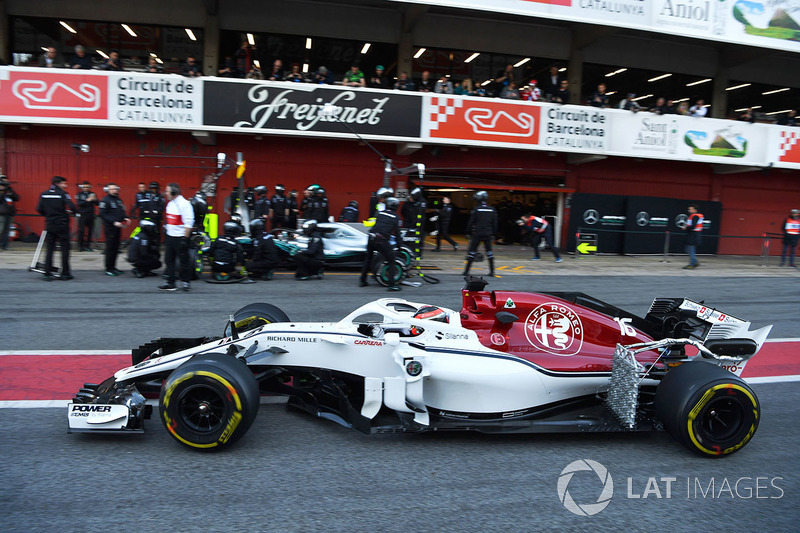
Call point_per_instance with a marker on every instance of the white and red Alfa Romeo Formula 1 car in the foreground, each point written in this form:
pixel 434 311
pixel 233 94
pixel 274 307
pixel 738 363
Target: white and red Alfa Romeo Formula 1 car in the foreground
pixel 506 362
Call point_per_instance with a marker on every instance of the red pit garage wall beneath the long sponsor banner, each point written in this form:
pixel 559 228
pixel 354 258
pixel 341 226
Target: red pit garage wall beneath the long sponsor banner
pixel 753 203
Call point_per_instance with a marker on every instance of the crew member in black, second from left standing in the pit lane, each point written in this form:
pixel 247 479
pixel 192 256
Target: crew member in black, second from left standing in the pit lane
pixel 56 206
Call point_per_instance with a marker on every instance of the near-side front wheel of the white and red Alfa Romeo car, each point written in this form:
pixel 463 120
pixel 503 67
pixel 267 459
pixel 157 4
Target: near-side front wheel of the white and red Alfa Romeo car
pixel 209 402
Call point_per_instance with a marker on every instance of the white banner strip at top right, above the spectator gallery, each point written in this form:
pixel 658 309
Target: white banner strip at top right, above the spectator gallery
pixel 767 23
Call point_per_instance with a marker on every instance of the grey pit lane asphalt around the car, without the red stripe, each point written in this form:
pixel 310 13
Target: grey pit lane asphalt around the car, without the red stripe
pixel 293 472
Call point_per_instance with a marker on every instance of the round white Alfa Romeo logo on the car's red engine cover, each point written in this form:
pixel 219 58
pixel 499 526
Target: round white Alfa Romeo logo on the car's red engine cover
pixel 554 328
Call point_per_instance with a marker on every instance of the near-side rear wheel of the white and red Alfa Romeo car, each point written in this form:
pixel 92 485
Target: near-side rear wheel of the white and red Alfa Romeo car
pixel 707 408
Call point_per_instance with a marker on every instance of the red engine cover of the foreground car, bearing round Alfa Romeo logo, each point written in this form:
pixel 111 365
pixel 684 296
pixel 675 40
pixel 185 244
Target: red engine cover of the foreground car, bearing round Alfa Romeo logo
pixel 551 332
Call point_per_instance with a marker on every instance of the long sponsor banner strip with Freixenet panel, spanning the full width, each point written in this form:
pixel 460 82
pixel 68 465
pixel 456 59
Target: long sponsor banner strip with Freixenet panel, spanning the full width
pixel 154 101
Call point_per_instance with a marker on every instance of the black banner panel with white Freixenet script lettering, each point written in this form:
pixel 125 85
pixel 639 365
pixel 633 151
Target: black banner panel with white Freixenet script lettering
pixel 296 107
